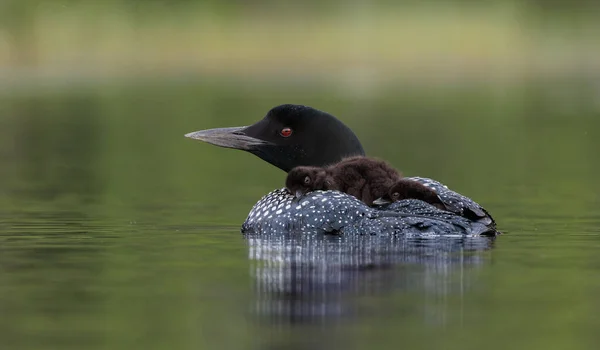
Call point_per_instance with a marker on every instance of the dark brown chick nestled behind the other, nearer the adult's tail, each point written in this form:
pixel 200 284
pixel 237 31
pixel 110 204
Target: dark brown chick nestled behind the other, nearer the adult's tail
pixel 407 189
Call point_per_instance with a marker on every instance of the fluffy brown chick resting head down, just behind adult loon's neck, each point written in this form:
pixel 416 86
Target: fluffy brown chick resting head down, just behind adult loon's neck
pixel 362 177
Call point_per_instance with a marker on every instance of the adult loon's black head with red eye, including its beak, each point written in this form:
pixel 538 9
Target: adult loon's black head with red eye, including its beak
pixel 289 136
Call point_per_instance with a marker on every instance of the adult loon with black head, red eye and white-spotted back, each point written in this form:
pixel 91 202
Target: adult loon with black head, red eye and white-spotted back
pixel 295 135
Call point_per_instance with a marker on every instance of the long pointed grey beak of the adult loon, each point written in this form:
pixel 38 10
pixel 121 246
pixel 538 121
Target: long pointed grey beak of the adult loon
pixel 228 138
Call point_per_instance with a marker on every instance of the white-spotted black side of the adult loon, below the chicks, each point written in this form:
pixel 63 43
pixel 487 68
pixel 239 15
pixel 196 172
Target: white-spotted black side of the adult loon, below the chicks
pixel 339 213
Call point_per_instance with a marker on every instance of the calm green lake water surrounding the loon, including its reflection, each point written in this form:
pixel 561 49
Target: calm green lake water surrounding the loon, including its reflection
pixel 116 232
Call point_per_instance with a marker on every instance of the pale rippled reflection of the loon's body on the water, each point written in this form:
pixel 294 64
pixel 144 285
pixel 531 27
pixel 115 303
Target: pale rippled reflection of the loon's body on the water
pixel 309 277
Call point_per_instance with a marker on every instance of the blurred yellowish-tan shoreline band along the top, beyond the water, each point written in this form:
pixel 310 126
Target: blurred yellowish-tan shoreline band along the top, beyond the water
pixel 91 44
